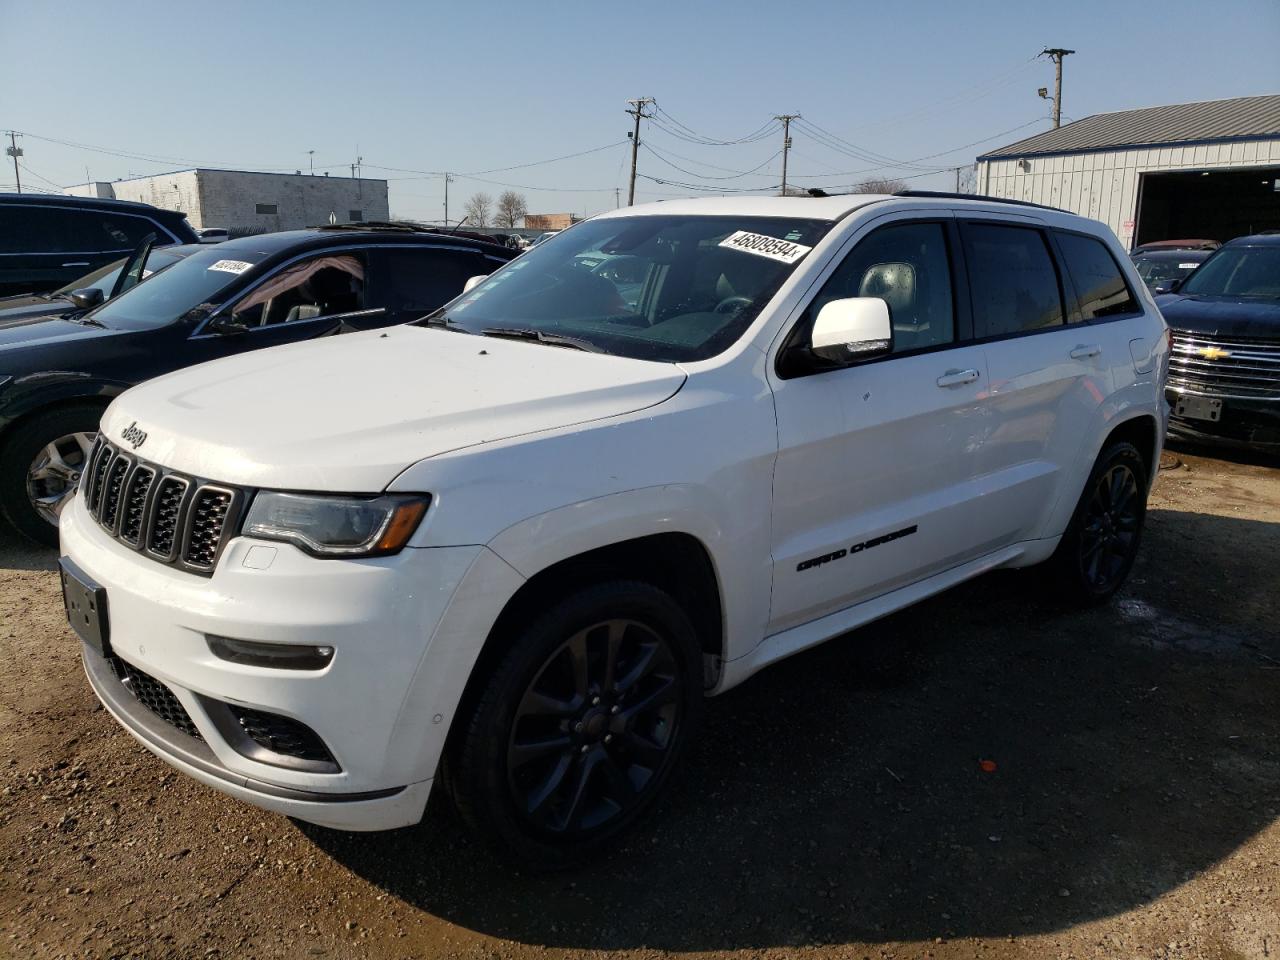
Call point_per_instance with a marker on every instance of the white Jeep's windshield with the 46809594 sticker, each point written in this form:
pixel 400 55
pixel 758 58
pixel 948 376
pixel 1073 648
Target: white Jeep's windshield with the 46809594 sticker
pixel 669 289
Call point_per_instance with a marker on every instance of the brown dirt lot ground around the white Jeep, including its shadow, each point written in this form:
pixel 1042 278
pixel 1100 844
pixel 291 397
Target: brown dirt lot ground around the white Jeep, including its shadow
pixel 835 808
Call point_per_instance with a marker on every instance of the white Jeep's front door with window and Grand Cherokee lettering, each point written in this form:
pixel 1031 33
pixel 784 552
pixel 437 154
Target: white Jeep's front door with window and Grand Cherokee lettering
pixel 877 482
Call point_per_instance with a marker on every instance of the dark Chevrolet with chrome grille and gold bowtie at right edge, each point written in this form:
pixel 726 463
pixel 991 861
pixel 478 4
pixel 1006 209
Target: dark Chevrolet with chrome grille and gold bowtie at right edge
pixel 1224 372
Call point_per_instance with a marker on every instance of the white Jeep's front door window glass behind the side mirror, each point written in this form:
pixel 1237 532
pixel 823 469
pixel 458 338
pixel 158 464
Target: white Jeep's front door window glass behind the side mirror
pixel 906 266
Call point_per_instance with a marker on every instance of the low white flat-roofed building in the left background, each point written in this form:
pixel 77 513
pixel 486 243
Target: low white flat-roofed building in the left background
pixel 252 203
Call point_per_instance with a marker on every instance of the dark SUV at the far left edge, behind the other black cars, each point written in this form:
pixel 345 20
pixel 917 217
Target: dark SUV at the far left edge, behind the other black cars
pixel 49 241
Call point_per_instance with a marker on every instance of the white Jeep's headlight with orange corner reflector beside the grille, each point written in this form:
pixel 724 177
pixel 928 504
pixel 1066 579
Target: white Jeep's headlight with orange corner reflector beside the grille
pixel 337 527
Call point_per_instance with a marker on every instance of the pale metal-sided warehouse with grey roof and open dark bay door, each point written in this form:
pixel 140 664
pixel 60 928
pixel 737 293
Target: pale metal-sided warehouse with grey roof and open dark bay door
pixel 1188 171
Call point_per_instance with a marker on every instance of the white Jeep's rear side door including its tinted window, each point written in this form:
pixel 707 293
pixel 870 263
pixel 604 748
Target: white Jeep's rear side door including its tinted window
pixel 1050 372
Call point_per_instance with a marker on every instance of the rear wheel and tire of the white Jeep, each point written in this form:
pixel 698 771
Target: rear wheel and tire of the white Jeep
pixel 1101 542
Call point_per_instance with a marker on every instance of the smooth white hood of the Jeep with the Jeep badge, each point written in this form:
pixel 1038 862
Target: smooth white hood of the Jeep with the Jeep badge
pixel 351 413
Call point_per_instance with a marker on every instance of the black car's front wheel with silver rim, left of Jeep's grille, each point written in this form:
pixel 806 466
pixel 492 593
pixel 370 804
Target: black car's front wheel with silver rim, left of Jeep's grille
pixel 30 499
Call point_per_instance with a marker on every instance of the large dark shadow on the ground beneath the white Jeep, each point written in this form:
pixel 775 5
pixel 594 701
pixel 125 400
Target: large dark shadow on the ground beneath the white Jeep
pixel 847 794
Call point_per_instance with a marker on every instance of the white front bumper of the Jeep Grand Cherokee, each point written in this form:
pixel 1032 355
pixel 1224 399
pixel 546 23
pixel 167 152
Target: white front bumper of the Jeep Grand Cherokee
pixel 381 707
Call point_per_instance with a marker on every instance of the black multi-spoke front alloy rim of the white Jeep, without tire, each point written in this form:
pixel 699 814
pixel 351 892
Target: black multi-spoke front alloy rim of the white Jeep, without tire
pixel 595 729
